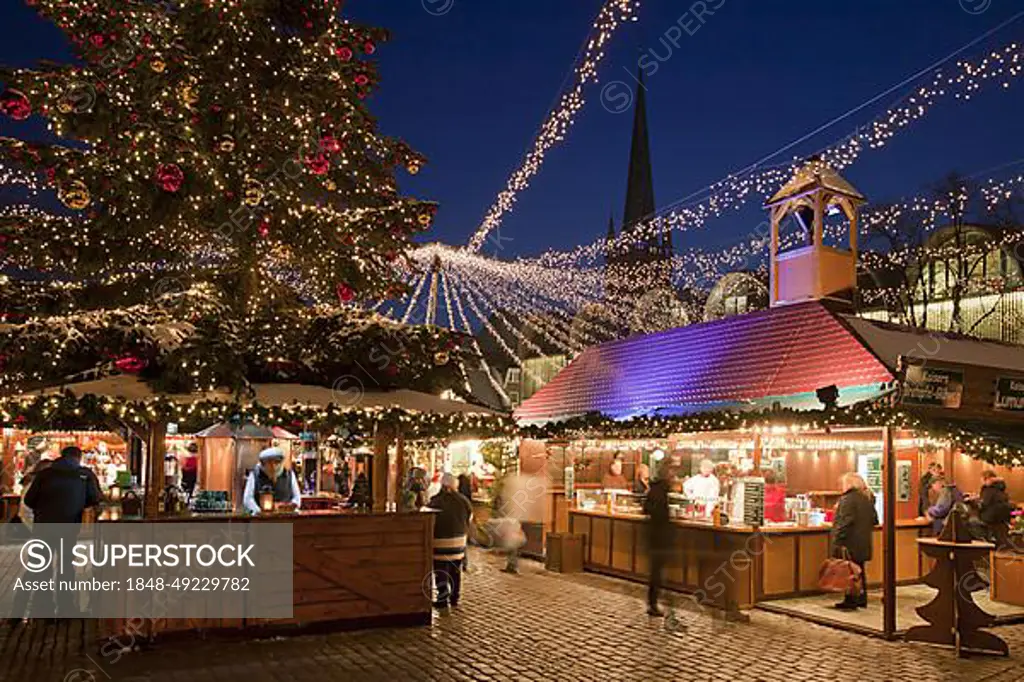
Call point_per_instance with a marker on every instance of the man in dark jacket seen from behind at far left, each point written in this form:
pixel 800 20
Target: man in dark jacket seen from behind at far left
pixel 58 498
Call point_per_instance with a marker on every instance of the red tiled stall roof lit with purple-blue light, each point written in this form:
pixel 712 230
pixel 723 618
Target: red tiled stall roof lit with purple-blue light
pixel 750 362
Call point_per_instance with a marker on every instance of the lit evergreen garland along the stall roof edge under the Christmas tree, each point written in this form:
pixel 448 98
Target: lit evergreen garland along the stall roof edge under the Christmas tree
pixel 67 411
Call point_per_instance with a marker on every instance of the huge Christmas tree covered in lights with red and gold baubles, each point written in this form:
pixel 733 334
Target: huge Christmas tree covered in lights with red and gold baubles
pixel 217 206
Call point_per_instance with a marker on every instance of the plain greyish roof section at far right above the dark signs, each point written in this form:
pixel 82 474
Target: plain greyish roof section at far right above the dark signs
pixel 889 342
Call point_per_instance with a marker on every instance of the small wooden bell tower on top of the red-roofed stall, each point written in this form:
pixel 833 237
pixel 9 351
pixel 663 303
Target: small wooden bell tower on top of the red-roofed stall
pixel 810 270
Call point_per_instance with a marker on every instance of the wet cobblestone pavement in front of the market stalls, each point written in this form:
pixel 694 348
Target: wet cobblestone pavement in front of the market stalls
pixel 535 626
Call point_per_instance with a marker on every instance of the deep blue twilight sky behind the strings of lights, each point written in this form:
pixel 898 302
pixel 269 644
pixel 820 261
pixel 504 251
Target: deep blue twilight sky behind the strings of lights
pixel 470 88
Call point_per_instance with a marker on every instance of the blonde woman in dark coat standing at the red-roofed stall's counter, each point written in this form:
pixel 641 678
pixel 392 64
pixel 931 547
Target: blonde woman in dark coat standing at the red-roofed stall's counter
pixel 852 531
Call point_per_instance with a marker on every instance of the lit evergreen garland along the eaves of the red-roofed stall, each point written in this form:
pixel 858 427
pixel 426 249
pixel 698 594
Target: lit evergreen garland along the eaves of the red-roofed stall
pixel 878 414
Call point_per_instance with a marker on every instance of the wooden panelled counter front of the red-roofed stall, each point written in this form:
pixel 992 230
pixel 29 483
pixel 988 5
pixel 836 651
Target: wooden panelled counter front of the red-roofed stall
pixel 734 567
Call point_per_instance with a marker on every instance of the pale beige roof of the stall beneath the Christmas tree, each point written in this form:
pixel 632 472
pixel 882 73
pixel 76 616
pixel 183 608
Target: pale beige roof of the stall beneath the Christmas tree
pixel 132 389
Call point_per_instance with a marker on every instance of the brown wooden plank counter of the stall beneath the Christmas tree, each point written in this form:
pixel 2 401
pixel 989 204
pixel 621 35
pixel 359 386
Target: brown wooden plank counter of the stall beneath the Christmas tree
pixel 351 571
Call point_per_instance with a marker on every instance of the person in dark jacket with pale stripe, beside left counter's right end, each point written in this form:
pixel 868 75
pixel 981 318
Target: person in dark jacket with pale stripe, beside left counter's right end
pixel 450 541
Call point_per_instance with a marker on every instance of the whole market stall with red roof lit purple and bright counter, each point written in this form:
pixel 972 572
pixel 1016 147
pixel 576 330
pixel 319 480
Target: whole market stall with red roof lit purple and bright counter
pixel 790 398
